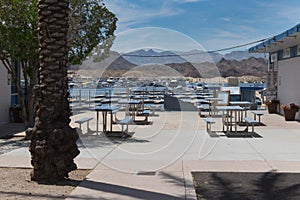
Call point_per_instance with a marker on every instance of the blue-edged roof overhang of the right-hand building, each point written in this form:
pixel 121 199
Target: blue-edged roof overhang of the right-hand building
pixel 274 43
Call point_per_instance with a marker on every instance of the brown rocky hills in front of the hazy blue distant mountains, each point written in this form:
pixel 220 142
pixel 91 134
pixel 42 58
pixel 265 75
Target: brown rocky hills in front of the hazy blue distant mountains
pixel 116 65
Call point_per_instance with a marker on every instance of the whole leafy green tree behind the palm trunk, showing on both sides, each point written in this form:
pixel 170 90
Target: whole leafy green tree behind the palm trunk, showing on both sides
pixel 91 25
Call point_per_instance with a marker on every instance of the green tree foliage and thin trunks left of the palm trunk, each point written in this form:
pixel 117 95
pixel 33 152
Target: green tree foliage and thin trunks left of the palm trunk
pixel 19 43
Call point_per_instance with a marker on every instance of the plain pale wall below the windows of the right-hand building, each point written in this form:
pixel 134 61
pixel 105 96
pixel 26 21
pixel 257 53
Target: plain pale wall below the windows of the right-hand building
pixel 289 82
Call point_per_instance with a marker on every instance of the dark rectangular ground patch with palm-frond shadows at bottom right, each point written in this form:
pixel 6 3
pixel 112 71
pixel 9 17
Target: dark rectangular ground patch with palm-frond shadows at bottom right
pixel 246 186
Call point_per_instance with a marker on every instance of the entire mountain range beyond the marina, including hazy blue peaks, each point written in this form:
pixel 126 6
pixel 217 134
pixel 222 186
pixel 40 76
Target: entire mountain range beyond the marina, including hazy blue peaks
pixel 190 64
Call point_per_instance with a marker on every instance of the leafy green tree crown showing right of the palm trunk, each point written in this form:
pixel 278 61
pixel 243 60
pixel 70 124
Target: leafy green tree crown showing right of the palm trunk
pixel 92 28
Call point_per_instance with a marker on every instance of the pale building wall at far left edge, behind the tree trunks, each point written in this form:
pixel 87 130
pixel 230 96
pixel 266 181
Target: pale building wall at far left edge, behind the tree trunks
pixel 5 94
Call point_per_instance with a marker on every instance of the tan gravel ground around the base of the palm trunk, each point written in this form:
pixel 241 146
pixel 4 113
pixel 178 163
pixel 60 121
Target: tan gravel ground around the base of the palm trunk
pixel 15 183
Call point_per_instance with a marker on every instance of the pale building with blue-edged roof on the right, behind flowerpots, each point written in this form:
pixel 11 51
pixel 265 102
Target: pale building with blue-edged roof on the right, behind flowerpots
pixel 284 66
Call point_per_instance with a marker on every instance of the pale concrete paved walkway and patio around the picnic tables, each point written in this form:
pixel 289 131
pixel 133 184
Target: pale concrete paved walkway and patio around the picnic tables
pixel 156 163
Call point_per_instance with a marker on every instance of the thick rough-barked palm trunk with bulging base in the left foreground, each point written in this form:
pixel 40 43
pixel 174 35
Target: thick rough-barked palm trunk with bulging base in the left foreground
pixel 53 145
